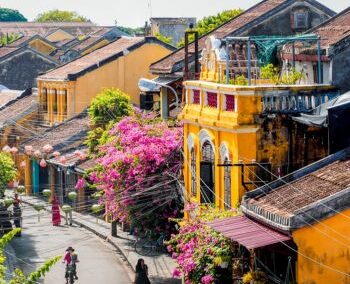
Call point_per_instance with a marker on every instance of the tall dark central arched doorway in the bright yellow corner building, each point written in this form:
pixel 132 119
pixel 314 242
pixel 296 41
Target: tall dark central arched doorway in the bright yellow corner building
pixel 207 173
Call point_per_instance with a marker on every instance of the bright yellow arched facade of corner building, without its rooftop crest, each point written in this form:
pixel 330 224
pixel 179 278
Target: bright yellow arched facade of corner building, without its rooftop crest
pixel 233 134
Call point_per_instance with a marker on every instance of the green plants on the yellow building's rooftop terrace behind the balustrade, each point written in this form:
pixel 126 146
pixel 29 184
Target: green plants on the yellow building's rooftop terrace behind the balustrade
pixel 272 73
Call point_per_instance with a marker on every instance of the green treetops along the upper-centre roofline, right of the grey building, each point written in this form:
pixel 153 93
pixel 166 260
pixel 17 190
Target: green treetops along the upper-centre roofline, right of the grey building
pixel 207 24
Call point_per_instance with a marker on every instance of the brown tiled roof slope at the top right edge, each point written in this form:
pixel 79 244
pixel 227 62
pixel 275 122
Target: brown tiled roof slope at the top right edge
pixel 335 29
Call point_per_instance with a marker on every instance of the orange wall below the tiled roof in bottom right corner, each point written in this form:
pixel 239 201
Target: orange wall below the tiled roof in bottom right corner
pixel 327 245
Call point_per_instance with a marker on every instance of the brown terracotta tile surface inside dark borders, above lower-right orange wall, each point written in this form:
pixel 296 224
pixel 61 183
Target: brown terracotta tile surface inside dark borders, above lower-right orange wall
pixel 310 189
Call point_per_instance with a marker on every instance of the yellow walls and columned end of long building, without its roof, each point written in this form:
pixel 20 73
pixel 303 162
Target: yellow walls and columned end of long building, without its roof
pixel 64 99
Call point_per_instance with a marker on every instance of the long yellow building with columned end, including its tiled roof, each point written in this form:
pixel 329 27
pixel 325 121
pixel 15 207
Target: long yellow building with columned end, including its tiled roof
pixel 69 89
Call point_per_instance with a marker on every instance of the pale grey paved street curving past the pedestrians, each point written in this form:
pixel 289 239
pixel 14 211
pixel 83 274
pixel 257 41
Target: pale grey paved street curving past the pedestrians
pixel 99 262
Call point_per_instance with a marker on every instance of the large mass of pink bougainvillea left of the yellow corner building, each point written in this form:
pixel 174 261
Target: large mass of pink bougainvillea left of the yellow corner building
pixel 138 170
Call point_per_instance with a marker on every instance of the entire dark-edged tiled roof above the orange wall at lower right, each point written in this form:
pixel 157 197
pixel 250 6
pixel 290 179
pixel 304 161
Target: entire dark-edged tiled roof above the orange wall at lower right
pixel 324 182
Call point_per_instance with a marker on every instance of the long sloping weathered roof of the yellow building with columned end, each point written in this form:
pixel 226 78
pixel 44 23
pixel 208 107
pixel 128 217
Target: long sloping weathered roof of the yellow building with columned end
pixel 92 59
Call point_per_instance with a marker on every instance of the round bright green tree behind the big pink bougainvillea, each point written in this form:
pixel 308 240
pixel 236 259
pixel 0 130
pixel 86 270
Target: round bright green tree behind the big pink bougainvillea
pixel 110 106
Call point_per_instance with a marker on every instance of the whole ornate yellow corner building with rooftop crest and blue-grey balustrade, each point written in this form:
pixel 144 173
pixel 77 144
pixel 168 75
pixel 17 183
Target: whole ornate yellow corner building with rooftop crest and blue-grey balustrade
pixel 238 125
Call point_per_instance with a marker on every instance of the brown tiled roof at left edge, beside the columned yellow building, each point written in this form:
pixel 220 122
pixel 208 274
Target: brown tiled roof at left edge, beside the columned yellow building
pixel 18 108
